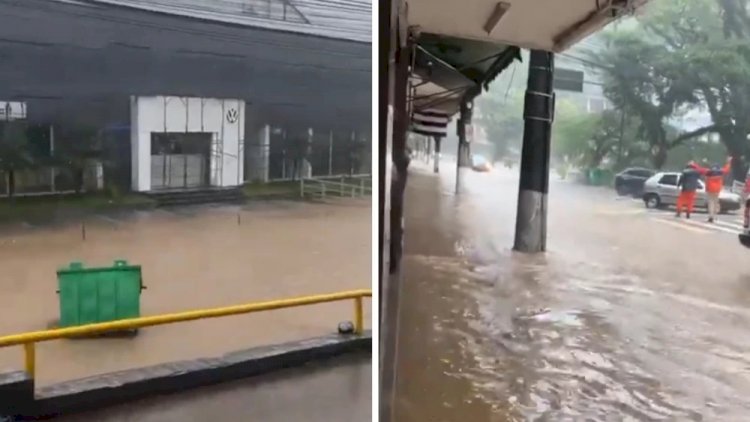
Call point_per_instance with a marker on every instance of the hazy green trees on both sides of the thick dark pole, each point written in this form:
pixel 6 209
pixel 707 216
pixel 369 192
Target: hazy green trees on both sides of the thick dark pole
pixel 681 55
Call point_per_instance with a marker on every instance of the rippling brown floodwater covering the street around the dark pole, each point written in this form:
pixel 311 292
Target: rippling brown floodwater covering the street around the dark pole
pixel 630 315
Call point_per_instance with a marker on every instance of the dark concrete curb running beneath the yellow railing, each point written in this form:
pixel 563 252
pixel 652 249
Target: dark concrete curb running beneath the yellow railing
pixel 119 387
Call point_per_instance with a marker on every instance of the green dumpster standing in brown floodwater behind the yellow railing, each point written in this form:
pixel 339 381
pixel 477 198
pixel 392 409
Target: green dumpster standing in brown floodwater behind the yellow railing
pixel 91 295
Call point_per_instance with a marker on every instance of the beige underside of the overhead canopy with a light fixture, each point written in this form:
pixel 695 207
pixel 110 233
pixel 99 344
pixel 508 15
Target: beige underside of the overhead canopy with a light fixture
pixel 552 25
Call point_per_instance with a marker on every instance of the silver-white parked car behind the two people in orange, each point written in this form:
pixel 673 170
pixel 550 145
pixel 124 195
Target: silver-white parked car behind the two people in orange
pixel 661 190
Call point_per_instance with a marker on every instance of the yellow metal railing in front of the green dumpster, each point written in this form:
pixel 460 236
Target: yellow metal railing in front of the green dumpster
pixel 29 340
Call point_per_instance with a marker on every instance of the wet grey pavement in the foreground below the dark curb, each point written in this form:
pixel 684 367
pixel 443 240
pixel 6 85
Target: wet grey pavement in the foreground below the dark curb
pixel 340 390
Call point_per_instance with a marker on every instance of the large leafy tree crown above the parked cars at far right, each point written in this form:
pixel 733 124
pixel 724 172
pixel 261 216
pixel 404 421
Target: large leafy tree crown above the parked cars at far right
pixel 686 53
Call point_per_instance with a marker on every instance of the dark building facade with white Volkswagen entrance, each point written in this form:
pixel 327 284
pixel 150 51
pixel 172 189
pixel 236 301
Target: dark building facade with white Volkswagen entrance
pixel 275 104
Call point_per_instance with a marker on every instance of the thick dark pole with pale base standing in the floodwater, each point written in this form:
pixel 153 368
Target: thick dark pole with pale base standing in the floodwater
pixel 539 106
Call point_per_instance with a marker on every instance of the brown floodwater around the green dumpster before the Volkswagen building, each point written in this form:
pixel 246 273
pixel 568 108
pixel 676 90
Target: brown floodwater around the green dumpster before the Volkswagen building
pixel 192 258
